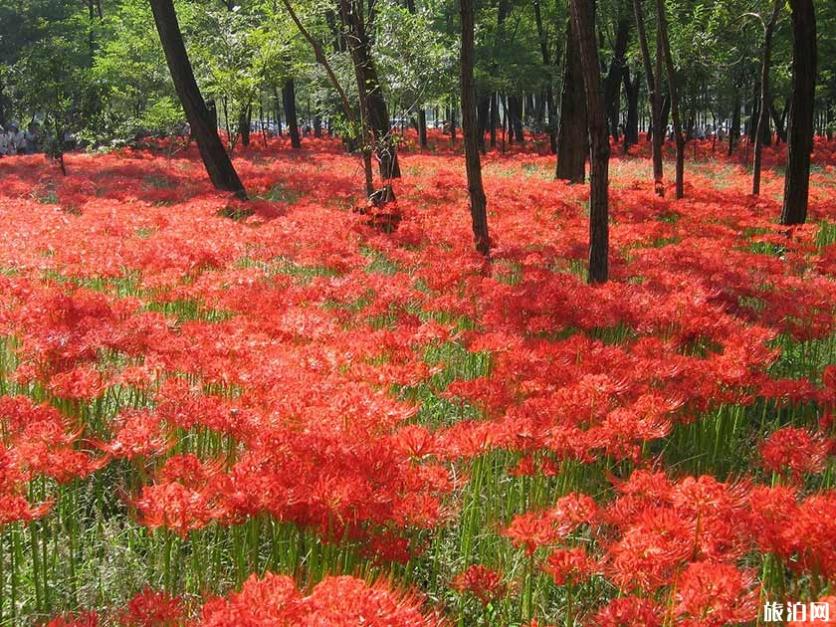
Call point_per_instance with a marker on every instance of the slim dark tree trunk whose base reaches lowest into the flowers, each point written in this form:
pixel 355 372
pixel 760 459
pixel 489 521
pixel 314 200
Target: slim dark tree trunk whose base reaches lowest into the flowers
pixel 583 21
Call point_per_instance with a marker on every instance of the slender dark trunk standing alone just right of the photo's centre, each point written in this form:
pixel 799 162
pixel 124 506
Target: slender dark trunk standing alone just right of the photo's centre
pixel 478 203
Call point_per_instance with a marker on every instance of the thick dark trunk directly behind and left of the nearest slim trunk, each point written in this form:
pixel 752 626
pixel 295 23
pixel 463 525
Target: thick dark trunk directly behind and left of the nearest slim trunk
pixel 572 138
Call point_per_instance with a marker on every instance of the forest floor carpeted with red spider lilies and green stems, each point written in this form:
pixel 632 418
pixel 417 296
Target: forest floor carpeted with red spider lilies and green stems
pixel 198 392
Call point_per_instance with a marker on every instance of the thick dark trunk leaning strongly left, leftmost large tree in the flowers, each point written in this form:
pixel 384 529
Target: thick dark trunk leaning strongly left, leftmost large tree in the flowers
pixel 218 165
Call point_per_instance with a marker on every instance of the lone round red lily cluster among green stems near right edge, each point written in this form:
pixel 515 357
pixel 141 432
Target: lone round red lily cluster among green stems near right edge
pixel 795 450
